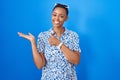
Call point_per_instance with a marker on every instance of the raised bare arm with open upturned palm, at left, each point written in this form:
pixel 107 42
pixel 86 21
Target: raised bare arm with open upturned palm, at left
pixel 39 58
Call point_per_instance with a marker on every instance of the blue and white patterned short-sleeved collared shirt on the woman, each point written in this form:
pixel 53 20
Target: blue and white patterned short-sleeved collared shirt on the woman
pixel 57 67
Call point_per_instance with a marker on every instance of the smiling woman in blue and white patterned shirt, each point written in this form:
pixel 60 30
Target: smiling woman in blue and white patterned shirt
pixel 57 51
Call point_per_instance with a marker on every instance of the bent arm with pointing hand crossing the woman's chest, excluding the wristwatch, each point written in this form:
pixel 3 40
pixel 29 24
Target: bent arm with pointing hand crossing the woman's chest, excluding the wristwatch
pixel 72 56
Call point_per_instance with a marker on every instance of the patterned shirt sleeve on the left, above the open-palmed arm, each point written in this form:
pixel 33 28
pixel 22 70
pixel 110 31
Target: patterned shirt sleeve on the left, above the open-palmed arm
pixel 40 43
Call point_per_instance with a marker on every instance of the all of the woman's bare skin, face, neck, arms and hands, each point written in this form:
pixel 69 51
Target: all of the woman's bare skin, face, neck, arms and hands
pixel 59 16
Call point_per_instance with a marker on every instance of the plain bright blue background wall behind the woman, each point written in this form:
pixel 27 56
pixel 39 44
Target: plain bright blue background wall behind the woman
pixel 96 21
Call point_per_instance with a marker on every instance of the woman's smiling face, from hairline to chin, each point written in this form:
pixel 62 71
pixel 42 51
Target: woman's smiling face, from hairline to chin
pixel 59 16
